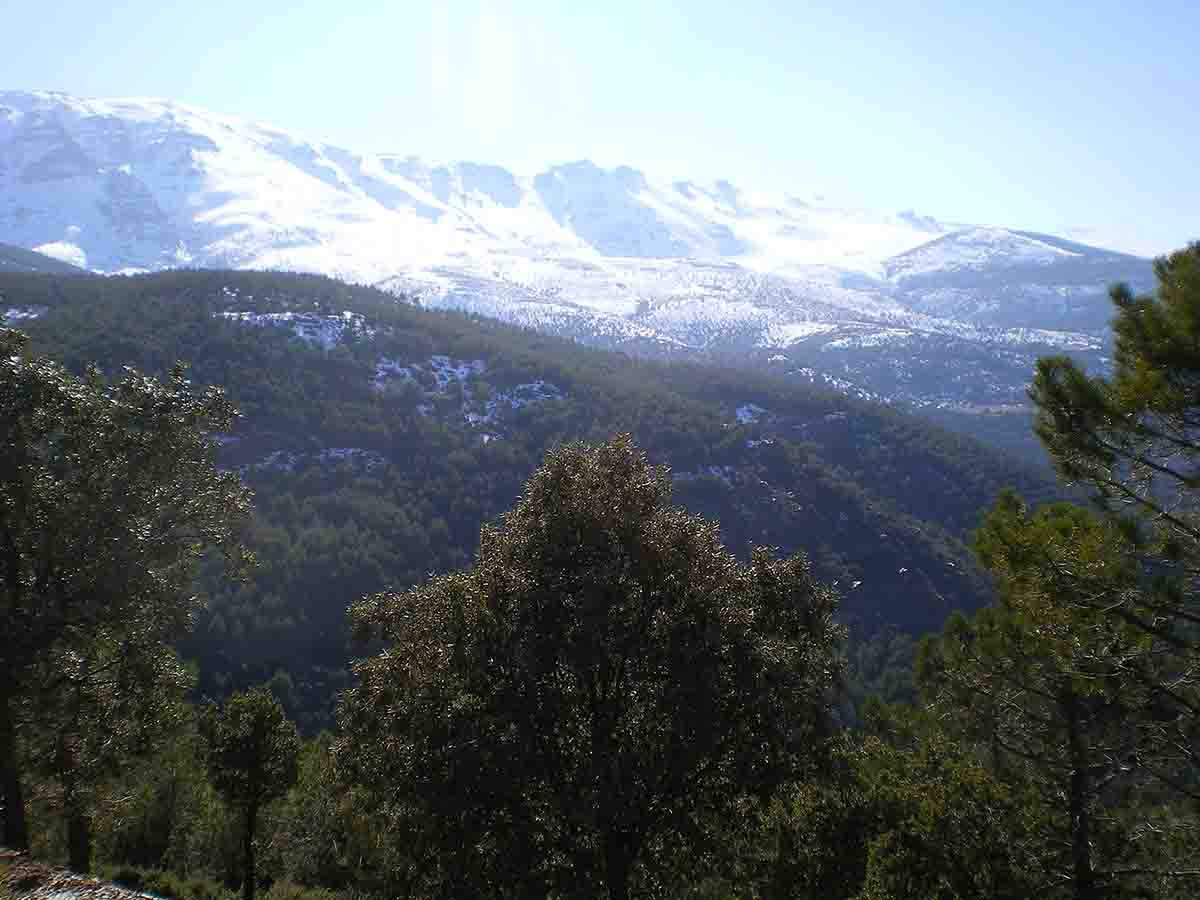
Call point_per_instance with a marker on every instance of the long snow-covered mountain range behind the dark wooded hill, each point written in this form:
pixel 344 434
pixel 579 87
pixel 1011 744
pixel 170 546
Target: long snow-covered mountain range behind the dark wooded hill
pixel 609 256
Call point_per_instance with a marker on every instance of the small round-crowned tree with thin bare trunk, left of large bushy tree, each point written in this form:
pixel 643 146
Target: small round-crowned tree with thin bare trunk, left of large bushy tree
pixel 251 751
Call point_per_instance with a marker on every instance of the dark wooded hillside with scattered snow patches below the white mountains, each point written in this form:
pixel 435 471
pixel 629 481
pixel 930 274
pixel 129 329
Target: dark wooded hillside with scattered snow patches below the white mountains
pixel 380 436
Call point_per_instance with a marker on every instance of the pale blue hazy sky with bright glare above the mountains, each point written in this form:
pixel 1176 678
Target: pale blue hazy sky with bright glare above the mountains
pixel 1076 118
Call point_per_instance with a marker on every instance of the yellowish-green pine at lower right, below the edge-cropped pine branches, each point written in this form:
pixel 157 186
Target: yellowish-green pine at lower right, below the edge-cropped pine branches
pixel 1054 695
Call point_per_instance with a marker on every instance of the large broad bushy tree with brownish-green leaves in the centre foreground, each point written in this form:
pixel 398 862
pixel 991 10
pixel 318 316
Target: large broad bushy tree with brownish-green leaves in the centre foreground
pixel 577 706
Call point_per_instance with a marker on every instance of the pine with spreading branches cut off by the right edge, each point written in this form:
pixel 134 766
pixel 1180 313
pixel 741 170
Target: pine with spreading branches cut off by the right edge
pixel 1132 440
